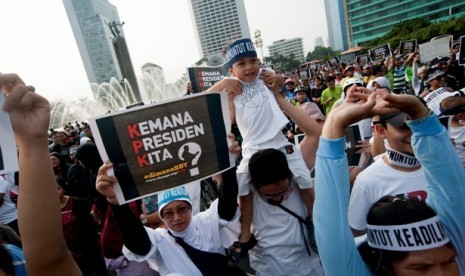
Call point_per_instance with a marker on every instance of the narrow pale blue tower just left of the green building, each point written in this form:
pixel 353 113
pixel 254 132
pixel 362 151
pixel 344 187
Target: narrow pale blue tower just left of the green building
pixel 336 24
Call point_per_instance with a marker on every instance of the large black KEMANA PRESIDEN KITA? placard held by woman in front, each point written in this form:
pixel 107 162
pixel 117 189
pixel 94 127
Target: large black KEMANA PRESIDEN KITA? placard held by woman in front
pixel 161 146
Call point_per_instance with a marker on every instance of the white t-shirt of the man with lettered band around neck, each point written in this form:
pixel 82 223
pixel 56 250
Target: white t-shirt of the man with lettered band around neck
pixel 379 180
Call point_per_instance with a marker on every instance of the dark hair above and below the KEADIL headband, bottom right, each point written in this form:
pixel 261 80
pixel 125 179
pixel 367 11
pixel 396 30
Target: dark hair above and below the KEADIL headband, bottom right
pixel 390 210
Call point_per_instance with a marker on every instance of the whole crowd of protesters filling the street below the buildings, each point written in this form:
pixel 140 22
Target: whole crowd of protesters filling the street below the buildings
pixel 290 207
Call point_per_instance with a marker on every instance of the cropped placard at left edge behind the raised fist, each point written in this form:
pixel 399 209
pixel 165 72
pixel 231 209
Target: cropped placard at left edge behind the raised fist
pixel 8 152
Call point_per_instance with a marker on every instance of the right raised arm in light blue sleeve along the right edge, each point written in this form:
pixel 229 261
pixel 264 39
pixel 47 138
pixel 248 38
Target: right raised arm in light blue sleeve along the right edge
pixel 442 168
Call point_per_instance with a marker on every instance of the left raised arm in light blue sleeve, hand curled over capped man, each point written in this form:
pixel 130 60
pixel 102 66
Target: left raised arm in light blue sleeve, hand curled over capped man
pixel 337 249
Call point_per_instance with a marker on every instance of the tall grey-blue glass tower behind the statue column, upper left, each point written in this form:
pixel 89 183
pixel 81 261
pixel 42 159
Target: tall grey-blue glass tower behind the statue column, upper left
pixel 89 19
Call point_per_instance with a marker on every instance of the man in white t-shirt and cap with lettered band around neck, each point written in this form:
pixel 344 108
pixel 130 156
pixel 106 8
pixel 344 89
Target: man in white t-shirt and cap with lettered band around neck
pixel 396 172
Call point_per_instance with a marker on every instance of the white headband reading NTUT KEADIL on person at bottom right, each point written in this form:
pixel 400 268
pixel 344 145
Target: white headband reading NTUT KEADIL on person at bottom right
pixel 420 235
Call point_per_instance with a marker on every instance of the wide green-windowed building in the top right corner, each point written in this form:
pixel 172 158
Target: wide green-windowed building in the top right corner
pixel 372 19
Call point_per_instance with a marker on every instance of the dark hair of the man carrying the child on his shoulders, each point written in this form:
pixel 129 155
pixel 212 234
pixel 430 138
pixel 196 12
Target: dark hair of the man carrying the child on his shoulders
pixel 268 166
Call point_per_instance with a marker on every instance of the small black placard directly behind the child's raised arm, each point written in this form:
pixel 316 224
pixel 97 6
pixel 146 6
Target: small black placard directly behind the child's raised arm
pixel 202 78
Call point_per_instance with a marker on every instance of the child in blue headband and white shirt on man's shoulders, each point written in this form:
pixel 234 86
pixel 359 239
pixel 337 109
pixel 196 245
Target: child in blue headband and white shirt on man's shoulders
pixel 260 120
